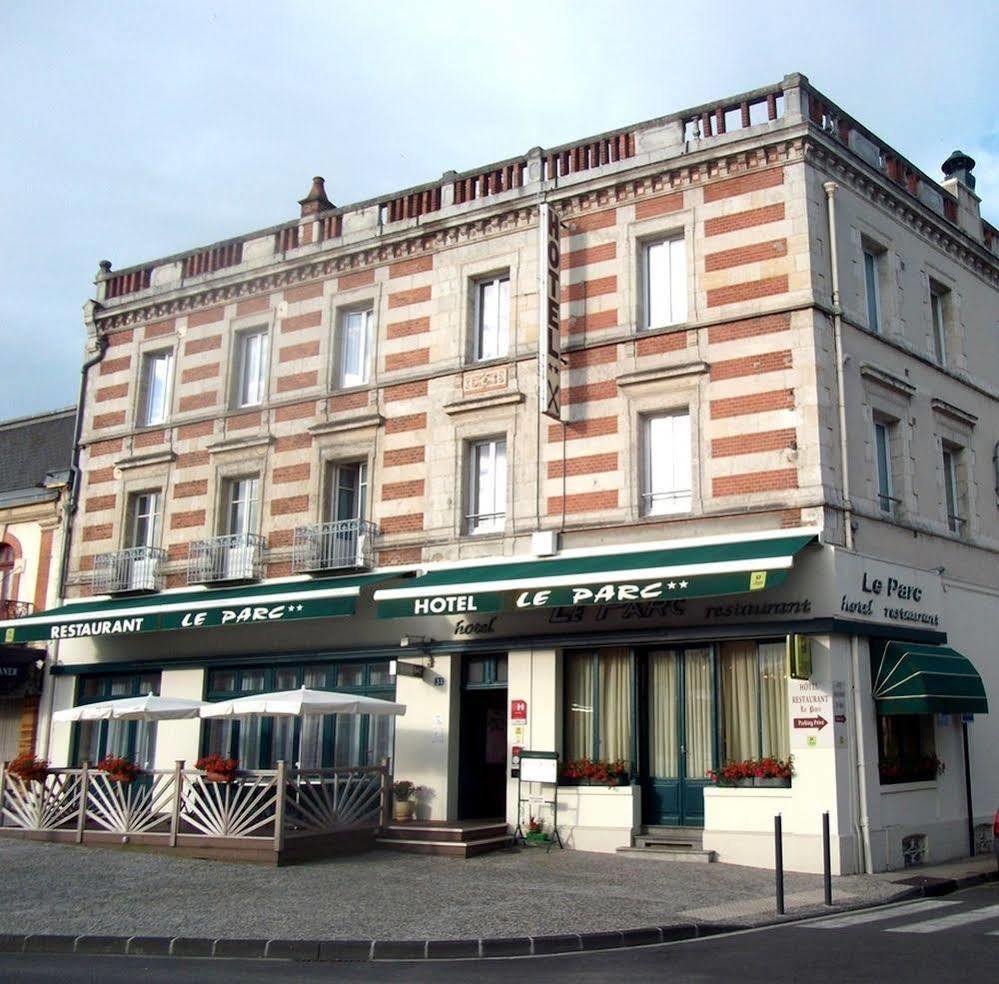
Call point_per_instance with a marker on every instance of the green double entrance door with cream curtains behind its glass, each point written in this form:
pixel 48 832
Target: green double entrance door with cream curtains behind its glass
pixel 678 735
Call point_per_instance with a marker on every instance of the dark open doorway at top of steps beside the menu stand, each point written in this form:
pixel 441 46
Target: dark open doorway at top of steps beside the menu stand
pixel 482 752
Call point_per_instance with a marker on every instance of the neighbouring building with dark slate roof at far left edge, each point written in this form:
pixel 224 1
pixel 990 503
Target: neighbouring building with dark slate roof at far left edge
pixel 35 455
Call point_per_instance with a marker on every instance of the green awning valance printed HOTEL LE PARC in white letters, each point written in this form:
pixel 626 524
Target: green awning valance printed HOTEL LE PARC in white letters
pixel 581 594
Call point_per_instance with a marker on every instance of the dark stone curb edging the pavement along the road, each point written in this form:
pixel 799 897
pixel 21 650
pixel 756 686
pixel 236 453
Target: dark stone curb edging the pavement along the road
pixel 467 949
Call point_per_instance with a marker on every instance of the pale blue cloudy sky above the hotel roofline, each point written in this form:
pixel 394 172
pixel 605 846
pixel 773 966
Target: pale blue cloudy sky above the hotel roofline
pixel 133 130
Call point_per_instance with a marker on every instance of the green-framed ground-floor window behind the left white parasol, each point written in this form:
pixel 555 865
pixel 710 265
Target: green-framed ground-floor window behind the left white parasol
pixel 135 740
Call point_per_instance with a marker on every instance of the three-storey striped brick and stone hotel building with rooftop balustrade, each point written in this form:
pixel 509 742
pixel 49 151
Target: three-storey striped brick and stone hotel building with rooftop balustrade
pixel 341 416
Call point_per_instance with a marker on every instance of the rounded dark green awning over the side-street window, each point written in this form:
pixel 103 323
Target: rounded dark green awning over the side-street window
pixel 915 679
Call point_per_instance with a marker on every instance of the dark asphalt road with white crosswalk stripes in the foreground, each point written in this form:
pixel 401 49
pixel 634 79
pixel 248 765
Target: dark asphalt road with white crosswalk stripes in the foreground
pixel 955 938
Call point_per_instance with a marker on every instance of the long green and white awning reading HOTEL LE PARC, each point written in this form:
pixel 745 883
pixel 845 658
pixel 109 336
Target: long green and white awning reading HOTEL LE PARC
pixel 604 576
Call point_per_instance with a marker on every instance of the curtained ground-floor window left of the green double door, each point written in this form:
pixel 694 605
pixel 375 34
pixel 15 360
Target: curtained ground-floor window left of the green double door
pixel 599 705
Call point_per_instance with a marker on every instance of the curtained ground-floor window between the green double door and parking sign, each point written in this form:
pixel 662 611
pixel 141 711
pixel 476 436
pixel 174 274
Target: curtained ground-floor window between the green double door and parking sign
pixel 754 710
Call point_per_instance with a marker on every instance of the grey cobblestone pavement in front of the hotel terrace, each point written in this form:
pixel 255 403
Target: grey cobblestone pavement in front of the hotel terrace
pixel 54 888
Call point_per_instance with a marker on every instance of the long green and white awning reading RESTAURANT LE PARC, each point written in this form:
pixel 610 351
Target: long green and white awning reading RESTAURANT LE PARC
pixel 196 609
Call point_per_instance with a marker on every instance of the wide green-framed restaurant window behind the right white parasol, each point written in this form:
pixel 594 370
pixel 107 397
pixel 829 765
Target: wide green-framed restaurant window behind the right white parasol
pixel 332 741
